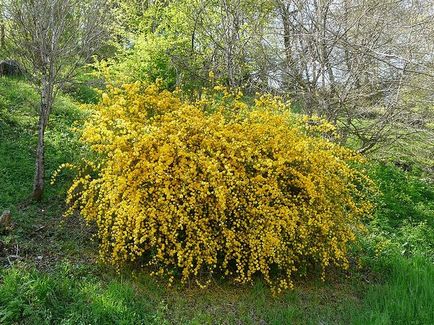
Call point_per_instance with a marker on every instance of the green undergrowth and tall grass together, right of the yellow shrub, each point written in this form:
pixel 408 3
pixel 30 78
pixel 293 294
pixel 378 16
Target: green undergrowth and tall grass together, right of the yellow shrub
pixel 397 253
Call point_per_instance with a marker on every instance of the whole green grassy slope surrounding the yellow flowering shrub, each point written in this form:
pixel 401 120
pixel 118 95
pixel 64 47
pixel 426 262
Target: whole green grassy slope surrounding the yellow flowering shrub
pixel 56 278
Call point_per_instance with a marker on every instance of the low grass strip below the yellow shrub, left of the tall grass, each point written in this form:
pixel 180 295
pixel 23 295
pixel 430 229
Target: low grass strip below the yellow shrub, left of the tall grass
pixel 71 295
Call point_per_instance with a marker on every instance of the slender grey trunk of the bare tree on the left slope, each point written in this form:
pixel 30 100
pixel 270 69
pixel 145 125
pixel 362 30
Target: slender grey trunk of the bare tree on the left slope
pixel 46 101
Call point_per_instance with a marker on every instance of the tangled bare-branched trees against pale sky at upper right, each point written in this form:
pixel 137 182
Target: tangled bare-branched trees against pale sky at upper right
pixel 351 61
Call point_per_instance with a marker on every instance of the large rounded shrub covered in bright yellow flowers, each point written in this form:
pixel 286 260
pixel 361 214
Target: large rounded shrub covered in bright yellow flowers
pixel 237 189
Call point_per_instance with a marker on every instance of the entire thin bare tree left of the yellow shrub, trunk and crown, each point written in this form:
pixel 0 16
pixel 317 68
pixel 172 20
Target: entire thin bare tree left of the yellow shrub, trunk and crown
pixel 52 38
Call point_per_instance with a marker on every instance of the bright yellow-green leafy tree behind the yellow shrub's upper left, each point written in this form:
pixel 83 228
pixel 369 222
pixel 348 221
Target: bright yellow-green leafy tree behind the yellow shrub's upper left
pixel 149 35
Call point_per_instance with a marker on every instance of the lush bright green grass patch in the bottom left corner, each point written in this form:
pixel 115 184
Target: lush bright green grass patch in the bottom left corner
pixel 70 295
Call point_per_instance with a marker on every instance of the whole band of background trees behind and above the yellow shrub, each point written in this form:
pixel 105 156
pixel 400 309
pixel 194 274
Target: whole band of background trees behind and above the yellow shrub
pixel 364 65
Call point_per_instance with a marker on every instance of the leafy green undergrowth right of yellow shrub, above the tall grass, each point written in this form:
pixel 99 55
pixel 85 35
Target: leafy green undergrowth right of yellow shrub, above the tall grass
pixel 403 224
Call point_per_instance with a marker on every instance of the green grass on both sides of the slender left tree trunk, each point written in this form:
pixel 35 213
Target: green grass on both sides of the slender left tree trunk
pixel 18 129
